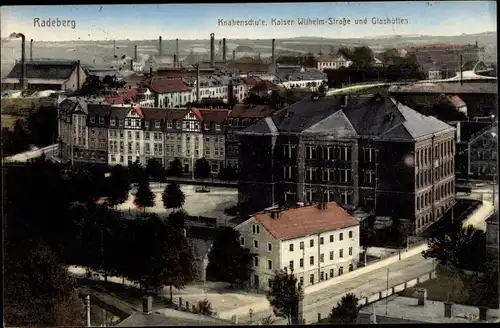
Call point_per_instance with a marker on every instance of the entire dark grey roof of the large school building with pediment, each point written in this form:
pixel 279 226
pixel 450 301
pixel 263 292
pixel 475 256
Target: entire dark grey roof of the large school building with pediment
pixel 369 116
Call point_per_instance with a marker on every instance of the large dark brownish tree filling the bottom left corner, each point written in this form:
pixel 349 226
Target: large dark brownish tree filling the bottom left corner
pixel 39 291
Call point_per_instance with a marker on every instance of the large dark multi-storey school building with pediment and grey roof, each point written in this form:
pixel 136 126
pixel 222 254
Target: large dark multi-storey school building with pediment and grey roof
pixel 368 152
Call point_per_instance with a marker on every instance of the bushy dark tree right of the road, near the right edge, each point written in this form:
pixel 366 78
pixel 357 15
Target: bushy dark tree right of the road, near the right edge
pixel 460 246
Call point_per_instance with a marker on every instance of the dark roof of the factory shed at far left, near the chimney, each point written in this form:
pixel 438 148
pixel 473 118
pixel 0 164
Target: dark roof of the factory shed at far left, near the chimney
pixel 60 70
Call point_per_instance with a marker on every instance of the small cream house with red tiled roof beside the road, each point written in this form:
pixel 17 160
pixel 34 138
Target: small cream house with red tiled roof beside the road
pixel 316 242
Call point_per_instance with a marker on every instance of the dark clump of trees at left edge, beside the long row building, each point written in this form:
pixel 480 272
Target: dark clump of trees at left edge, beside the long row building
pixel 38 128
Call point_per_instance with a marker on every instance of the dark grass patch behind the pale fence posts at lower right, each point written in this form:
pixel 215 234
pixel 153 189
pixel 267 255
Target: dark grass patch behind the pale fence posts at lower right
pixel 437 289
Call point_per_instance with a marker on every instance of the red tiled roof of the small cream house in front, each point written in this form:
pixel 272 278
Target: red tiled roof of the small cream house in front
pixel 304 221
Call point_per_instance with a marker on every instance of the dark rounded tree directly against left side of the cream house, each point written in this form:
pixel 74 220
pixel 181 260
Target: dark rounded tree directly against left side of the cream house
pixel 228 261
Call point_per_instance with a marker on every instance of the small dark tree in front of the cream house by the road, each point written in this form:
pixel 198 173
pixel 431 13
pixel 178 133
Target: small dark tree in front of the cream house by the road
pixel 284 295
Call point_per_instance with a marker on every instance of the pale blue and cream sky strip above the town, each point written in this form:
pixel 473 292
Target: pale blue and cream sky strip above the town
pixel 197 21
